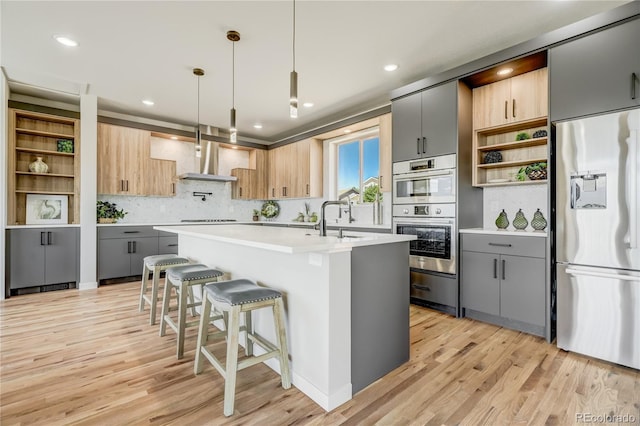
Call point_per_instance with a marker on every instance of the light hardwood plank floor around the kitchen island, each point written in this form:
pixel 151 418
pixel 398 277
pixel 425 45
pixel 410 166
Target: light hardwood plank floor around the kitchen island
pixel 89 357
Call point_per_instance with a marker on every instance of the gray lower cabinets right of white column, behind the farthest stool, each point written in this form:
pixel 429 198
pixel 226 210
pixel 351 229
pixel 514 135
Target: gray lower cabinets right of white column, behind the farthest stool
pixel 121 249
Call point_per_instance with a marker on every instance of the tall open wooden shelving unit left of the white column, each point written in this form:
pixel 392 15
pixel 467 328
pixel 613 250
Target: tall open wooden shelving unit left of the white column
pixel 33 135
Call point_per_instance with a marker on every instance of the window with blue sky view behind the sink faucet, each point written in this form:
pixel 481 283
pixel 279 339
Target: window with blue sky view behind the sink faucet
pixel 357 166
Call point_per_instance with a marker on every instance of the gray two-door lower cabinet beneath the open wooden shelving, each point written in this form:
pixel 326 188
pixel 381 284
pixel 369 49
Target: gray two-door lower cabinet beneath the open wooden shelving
pixel 41 256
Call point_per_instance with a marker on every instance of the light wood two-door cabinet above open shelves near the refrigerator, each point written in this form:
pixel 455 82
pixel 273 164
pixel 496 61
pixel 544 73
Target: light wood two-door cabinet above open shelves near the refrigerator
pixel 517 99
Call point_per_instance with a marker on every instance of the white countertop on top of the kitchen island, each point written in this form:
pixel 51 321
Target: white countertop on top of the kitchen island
pixel 285 240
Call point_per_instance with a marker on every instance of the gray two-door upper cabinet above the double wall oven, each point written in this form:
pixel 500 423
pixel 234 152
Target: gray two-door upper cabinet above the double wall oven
pixel 425 123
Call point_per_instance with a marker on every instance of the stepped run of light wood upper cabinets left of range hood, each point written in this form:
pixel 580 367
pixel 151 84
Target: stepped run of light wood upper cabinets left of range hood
pixel 125 167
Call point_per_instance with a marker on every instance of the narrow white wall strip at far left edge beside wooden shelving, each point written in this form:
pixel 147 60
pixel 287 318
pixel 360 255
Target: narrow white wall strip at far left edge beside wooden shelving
pixel 4 99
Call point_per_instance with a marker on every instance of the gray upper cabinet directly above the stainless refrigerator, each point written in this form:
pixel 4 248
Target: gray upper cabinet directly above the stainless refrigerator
pixel 596 73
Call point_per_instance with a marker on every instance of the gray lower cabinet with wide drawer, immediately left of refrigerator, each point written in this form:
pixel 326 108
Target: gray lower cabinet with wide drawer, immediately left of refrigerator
pixel 503 280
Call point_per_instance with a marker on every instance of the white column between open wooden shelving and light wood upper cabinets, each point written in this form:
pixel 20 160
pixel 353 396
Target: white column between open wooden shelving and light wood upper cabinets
pixel 88 191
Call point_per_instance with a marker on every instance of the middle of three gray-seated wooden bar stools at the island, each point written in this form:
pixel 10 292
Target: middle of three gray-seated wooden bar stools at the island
pixel 181 279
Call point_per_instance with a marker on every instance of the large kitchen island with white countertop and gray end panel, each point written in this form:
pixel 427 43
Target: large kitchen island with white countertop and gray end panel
pixel 346 299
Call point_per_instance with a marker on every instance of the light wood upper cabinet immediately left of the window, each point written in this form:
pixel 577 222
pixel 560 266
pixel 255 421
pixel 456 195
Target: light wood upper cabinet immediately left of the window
pixel 295 170
